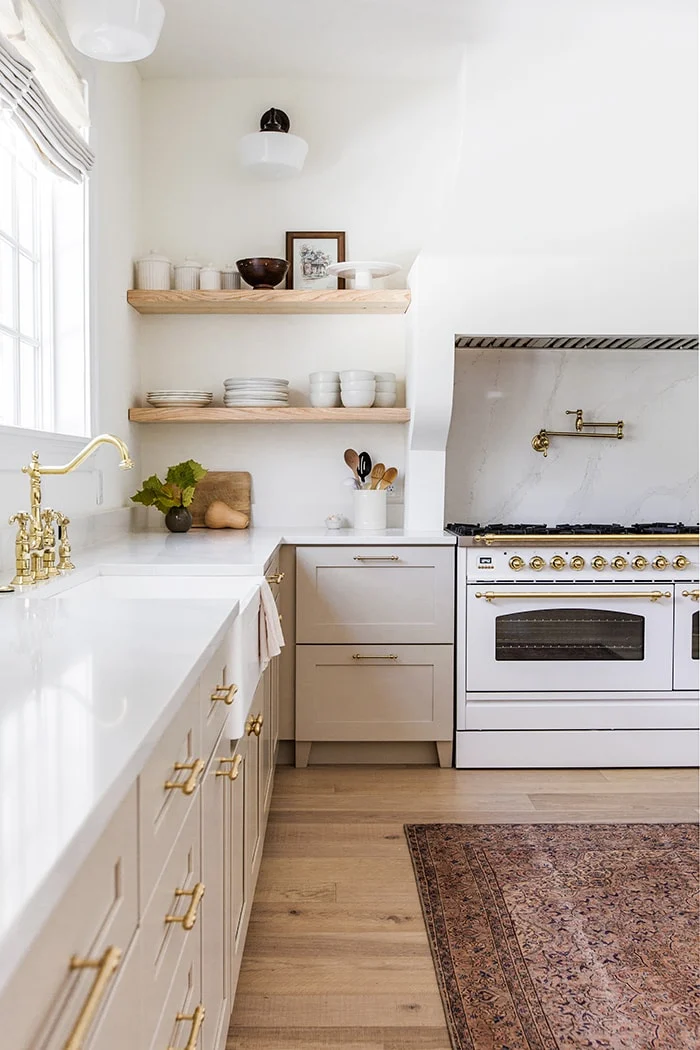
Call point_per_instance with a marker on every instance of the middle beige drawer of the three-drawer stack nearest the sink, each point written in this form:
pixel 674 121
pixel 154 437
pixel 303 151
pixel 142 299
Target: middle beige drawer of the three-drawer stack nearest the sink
pixel 162 941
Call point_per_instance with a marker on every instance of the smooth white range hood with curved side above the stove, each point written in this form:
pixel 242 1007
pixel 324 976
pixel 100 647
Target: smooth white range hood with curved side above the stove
pixel 576 206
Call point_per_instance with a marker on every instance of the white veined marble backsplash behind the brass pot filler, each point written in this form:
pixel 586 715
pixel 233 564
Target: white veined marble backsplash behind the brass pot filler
pixel 502 398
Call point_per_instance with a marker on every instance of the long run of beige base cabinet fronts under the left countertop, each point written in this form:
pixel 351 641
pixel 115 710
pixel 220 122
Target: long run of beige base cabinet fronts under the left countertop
pixel 144 950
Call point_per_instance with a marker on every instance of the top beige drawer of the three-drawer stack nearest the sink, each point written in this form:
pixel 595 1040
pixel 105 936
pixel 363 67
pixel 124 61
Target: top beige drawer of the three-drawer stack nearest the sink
pixel 163 810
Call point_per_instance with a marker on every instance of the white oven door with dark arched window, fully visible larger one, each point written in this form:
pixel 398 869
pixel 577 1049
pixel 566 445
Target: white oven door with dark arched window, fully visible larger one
pixel 559 637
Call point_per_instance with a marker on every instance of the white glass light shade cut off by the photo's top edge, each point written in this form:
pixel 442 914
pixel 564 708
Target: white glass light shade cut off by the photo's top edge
pixel 115 31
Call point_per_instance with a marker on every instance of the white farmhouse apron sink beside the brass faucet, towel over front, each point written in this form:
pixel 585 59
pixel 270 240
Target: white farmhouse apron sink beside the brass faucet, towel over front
pixel 244 640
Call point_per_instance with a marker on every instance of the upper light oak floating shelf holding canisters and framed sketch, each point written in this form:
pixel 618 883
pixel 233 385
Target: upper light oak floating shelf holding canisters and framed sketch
pixel 393 301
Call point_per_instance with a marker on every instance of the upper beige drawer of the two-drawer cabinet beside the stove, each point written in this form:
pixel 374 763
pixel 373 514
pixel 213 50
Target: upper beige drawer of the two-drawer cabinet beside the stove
pixel 375 595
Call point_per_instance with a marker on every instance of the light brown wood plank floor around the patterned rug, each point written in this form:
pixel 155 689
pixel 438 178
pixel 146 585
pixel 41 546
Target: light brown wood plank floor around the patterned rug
pixel 337 955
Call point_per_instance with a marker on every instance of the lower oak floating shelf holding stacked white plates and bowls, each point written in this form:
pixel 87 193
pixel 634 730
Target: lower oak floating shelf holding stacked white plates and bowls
pixel 219 415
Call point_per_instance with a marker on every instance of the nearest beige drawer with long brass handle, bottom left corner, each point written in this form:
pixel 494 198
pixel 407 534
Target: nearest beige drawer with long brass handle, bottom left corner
pixel 100 911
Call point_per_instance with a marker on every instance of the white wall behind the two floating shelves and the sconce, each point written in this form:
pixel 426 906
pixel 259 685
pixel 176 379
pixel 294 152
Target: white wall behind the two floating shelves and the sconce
pixel 376 170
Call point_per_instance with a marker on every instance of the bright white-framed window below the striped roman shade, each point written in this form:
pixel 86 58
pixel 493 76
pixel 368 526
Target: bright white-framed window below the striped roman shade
pixel 44 361
